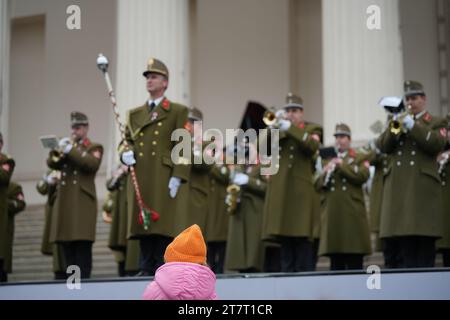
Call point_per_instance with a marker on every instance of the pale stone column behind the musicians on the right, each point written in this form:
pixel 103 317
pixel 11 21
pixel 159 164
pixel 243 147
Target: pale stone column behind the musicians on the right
pixel 360 64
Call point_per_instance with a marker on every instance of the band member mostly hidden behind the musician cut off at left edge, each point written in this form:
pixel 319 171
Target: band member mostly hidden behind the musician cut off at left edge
pixel 16 204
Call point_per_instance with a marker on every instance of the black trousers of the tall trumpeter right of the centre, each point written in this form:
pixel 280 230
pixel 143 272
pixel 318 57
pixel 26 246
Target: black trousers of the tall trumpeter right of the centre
pixel 296 254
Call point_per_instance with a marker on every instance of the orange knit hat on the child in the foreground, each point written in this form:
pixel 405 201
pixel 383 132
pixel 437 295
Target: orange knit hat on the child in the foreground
pixel 188 246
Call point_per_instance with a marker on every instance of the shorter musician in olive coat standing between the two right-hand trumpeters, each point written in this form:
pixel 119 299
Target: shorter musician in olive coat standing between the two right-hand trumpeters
pixel 345 236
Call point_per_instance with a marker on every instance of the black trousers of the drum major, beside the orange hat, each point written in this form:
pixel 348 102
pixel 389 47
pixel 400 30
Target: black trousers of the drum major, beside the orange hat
pixel 152 252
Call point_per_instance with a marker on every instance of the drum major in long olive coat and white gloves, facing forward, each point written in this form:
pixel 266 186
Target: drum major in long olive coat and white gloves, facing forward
pixel 149 129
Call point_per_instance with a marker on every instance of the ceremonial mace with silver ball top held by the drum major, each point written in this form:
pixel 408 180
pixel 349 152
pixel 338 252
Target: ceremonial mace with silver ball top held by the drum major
pixel 145 212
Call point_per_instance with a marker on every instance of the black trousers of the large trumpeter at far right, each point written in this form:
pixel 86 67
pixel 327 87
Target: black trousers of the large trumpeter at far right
pixel 417 251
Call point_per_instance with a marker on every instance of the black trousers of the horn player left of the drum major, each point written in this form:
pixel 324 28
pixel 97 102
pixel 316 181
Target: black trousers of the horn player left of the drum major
pixel 79 253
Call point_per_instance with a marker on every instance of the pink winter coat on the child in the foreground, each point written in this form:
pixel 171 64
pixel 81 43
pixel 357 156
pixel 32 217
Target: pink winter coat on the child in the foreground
pixel 182 281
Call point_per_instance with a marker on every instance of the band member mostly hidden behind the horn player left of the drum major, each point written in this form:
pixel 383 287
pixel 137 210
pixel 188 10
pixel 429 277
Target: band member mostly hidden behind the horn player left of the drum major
pixel 47 187
